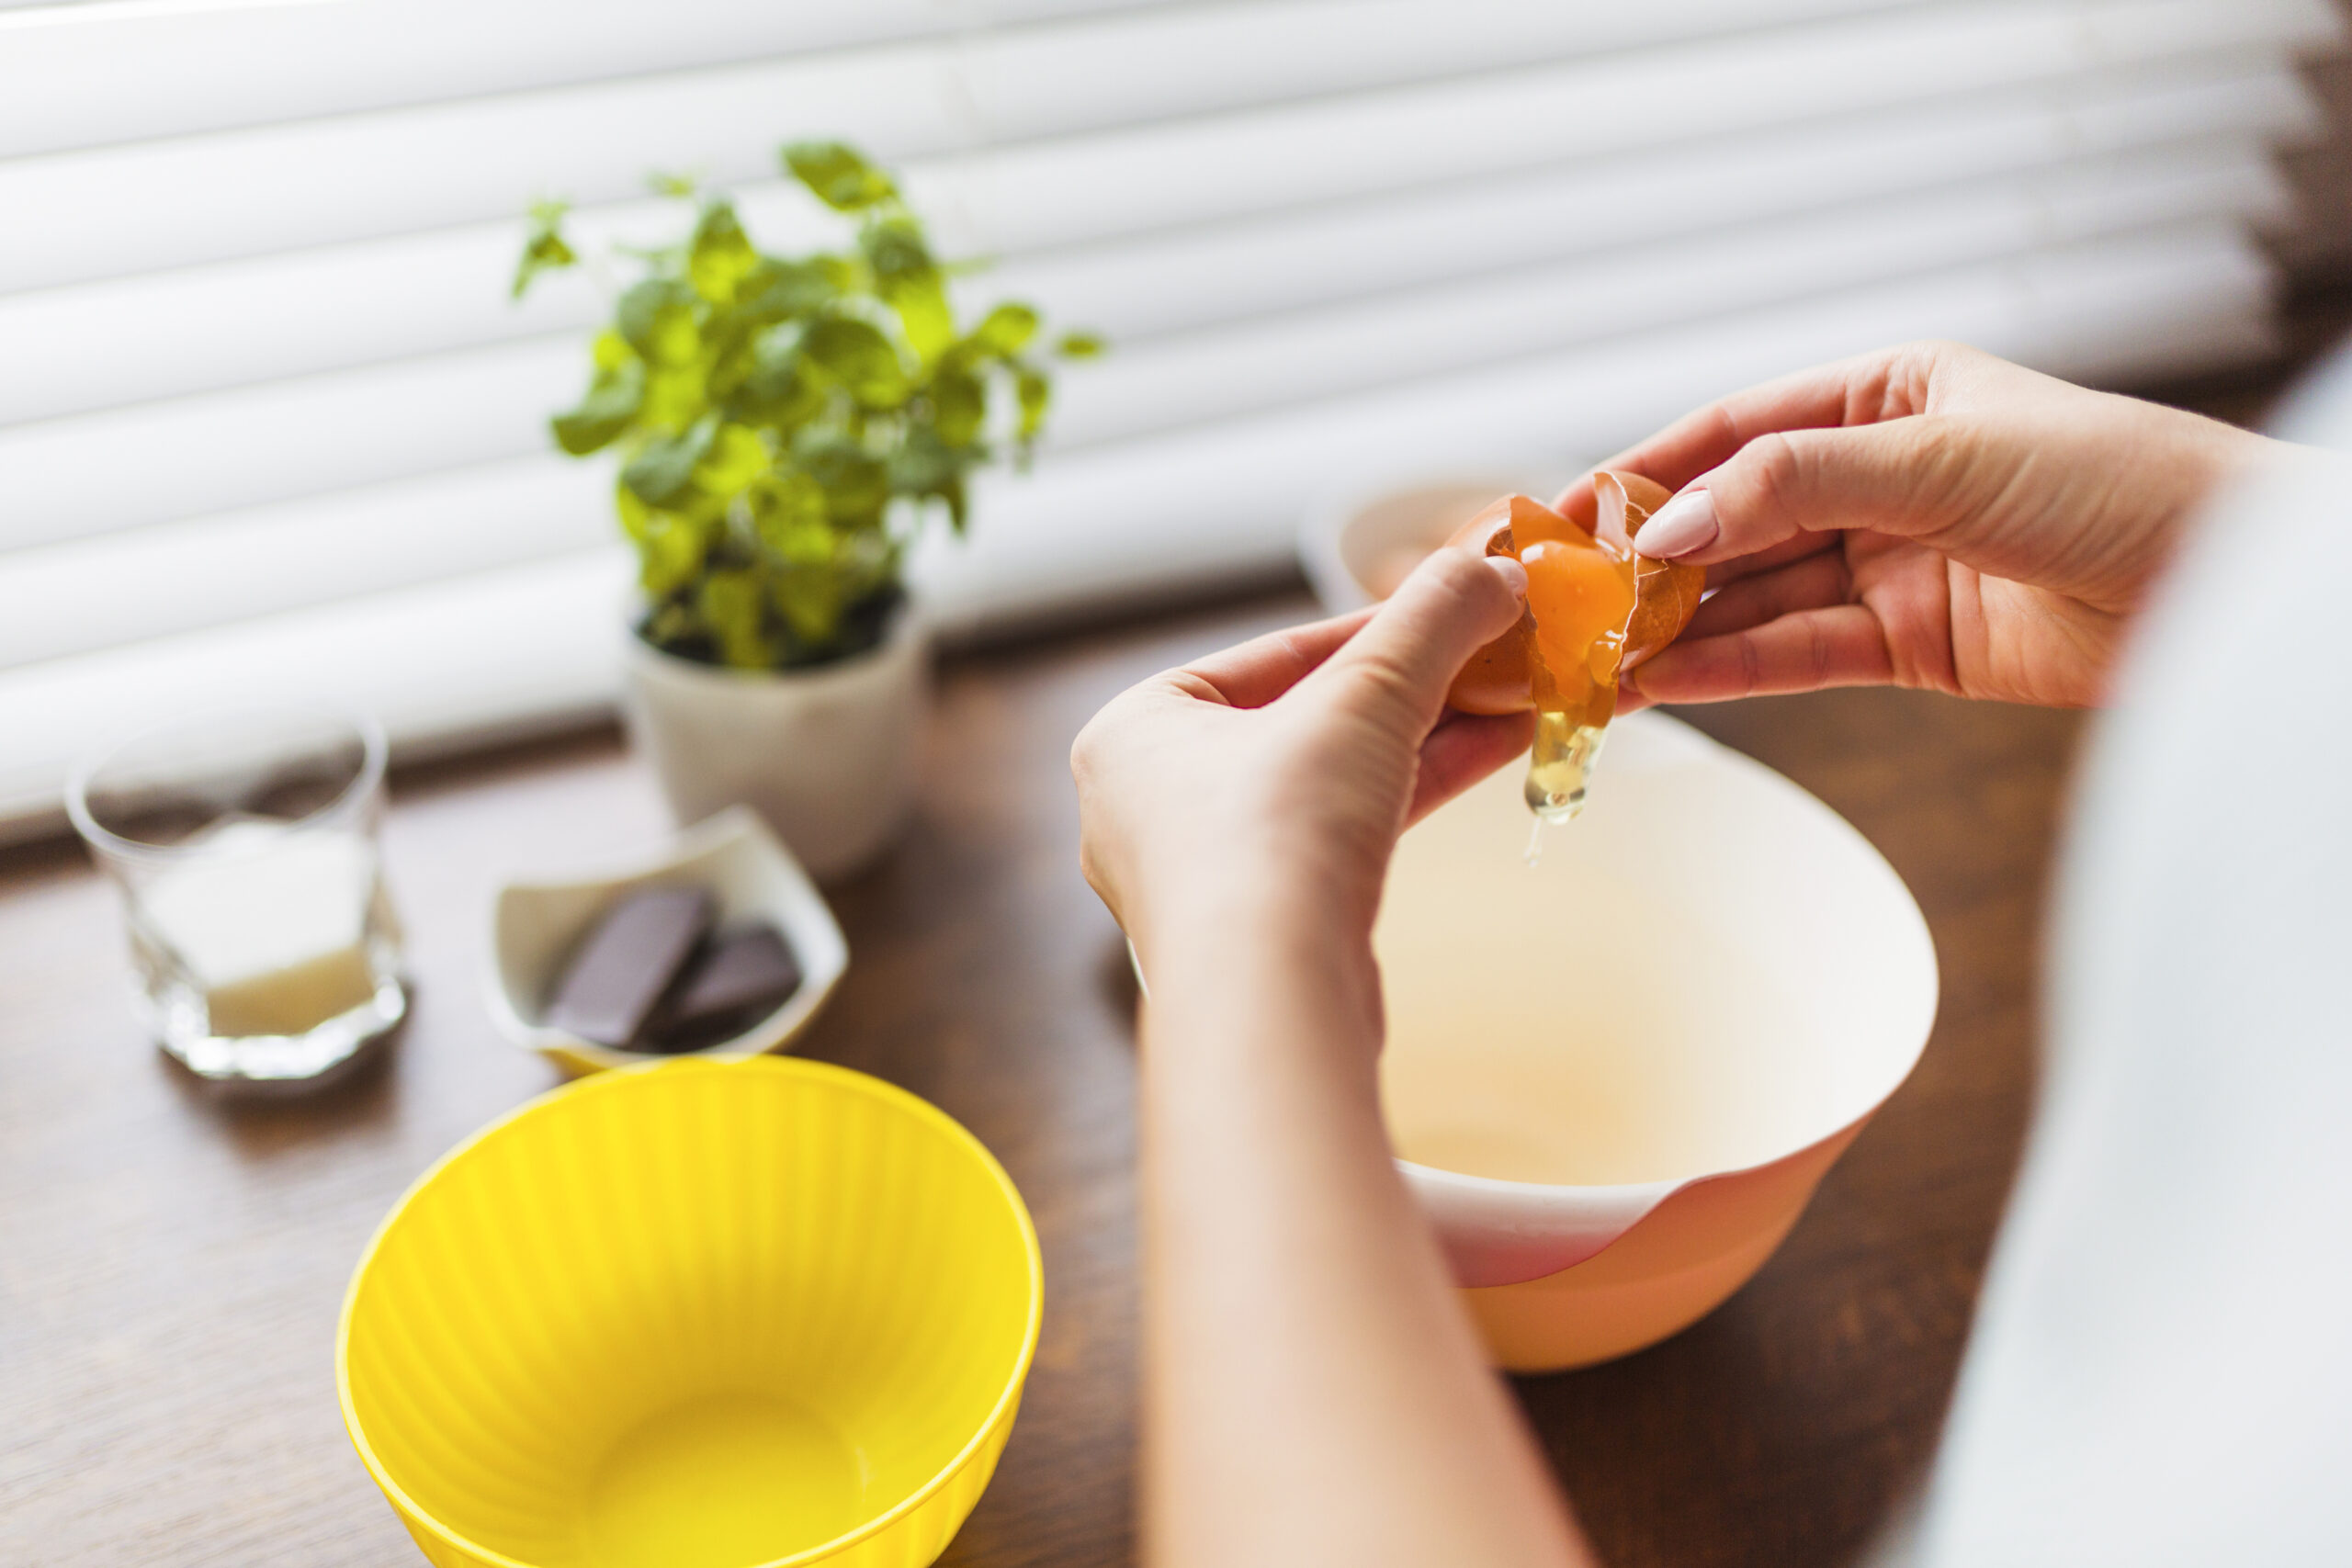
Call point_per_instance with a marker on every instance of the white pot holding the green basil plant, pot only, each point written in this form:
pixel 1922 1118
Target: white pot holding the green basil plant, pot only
pixel 827 756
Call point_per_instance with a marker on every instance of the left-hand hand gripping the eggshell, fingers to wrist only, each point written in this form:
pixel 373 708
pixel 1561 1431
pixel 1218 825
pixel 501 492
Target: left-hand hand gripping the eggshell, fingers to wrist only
pixel 1278 775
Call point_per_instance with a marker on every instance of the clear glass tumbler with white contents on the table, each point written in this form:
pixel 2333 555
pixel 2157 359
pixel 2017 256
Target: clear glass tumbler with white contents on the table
pixel 246 850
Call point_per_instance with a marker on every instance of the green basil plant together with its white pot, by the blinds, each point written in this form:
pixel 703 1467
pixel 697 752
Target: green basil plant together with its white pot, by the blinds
pixel 787 427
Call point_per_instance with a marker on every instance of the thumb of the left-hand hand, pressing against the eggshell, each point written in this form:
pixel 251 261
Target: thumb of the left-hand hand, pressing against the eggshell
pixel 1398 669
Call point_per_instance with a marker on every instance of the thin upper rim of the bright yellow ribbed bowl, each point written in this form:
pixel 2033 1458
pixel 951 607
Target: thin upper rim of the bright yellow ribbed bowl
pixel 620 1083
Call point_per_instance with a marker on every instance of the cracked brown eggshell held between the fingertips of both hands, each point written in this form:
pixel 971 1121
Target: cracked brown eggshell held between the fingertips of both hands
pixel 1666 594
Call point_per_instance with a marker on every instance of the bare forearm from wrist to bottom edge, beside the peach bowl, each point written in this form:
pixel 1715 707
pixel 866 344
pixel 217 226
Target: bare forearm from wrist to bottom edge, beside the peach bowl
pixel 1316 1393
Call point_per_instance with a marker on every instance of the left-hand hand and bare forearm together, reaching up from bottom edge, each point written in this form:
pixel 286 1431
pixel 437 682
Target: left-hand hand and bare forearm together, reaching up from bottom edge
pixel 1314 1388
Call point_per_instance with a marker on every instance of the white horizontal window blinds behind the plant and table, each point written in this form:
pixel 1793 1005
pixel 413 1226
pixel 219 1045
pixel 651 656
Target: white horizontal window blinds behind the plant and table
pixel 258 356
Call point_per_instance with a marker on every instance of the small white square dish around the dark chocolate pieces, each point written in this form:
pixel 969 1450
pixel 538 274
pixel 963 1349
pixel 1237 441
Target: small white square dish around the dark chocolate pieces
pixel 537 925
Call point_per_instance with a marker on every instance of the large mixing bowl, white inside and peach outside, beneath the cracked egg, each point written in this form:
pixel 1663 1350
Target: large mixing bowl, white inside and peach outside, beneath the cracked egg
pixel 1615 1078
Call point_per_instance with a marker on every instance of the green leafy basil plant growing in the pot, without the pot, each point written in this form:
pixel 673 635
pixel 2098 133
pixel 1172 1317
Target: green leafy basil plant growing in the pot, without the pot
pixel 787 424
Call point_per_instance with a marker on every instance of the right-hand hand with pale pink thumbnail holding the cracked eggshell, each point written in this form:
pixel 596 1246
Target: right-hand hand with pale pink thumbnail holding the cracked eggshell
pixel 1923 516
